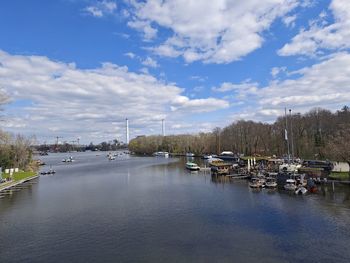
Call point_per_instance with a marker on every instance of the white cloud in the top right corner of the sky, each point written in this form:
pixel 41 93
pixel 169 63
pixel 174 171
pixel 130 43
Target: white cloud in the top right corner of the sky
pixel 319 36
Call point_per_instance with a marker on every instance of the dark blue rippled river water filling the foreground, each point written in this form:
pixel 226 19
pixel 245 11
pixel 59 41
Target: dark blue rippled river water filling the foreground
pixel 148 209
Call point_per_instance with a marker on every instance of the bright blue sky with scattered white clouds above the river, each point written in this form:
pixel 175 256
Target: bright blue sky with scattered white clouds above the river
pixel 79 68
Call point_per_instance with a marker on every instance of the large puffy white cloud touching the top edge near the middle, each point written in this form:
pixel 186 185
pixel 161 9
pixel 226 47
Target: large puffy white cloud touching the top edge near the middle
pixel 231 28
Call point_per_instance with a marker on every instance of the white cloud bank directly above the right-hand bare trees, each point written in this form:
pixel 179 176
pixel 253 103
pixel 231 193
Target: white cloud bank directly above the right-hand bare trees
pixel 326 85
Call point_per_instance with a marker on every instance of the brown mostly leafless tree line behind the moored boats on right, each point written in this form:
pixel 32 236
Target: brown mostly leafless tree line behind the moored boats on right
pixel 317 134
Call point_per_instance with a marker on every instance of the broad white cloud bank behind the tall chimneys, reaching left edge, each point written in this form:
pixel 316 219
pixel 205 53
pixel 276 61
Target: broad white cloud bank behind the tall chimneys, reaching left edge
pixel 85 102
